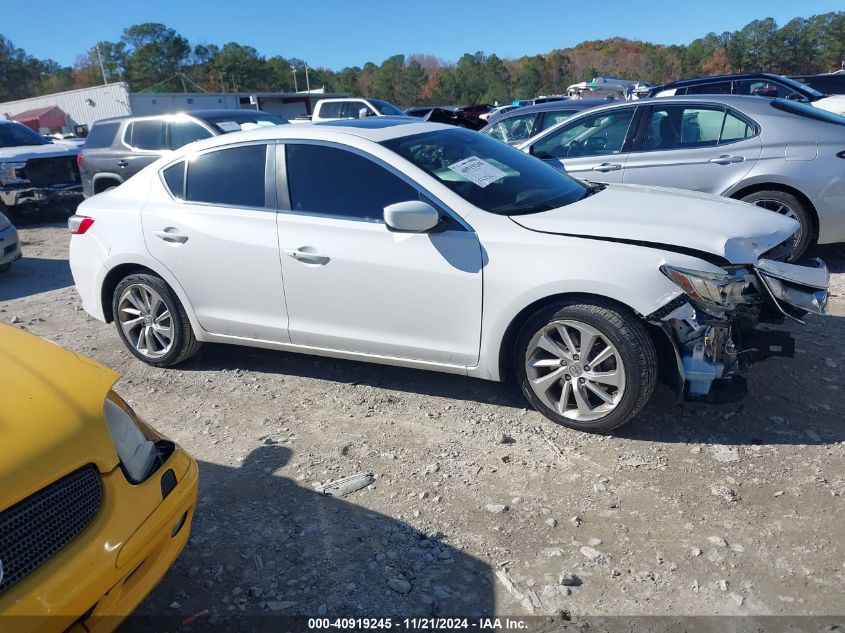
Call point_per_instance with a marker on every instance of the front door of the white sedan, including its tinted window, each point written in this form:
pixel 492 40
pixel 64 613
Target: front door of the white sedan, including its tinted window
pixel 353 285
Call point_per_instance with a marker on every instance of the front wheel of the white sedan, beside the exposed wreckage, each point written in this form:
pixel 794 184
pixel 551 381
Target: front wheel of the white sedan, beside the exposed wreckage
pixel 587 366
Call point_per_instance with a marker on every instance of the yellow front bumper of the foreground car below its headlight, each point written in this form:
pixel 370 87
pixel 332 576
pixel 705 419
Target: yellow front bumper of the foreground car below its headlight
pixel 114 564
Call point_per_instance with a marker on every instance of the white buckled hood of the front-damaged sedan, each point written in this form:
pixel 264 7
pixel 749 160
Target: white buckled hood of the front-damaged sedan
pixel 667 218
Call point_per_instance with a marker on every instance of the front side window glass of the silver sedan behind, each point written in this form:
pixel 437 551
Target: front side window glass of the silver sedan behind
pixel 601 134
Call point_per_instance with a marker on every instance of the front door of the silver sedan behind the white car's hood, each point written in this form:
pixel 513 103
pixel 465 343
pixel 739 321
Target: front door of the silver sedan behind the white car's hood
pixel 592 147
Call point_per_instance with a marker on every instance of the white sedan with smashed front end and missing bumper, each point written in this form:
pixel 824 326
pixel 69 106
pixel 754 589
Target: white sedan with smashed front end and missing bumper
pixel 383 228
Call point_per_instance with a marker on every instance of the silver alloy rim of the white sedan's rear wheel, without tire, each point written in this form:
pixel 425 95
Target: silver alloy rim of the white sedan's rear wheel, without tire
pixel 145 320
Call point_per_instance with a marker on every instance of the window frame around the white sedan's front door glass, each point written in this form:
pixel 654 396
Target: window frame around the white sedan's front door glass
pixel 284 206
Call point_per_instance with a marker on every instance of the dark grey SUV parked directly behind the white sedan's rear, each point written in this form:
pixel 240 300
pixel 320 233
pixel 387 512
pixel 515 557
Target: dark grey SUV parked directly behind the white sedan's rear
pixel 117 149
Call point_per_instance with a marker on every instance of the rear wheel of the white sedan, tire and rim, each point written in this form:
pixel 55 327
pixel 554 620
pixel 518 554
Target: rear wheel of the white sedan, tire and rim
pixel 151 321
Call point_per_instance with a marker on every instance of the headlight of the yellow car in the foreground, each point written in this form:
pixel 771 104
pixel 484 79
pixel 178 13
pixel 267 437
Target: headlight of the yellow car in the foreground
pixel 134 442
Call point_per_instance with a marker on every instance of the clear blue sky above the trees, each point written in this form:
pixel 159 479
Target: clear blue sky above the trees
pixel 335 34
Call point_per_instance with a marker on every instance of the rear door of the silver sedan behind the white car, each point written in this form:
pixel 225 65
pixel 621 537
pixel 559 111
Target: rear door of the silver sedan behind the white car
pixel 699 147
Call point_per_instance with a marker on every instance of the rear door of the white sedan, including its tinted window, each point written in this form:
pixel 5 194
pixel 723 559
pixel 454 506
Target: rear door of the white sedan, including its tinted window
pixel 217 236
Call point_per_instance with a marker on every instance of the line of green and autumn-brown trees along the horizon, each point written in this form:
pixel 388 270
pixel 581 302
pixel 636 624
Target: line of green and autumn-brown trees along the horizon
pixel 154 57
